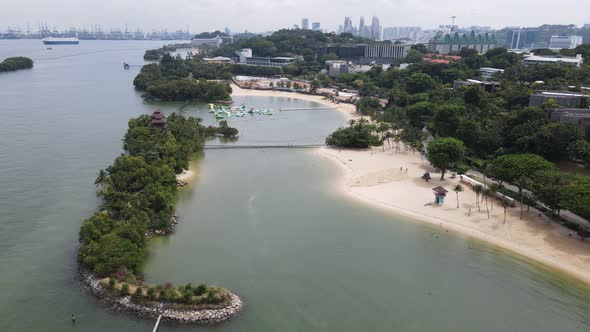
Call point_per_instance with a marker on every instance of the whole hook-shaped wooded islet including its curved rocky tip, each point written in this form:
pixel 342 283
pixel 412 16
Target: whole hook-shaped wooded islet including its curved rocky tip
pixel 138 193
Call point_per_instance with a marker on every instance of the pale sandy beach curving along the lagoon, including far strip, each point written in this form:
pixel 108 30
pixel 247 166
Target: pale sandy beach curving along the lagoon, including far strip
pixel 374 177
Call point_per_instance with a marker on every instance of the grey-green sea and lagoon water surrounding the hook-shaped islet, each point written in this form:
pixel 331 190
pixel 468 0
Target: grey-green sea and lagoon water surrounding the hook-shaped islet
pixel 265 223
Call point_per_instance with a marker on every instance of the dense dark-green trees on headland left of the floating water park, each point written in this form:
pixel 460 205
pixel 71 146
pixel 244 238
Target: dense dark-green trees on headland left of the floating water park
pixel 171 79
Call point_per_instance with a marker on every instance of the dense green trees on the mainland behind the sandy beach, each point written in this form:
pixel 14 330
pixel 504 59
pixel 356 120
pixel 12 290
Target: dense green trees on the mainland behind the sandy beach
pixel 499 133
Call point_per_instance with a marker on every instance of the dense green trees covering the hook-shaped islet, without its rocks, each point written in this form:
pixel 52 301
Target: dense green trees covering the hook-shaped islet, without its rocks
pixel 138 193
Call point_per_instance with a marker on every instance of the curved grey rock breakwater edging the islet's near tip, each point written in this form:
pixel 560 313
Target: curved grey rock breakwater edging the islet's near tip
pixel 170 311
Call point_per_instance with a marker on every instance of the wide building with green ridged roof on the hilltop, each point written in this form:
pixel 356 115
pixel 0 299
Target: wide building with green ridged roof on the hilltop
pixel 449 43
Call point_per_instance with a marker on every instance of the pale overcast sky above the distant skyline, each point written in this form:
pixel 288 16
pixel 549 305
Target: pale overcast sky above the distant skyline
pixel 264 15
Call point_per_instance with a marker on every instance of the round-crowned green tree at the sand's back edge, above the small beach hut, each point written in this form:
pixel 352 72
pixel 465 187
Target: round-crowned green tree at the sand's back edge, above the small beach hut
pixel 444 152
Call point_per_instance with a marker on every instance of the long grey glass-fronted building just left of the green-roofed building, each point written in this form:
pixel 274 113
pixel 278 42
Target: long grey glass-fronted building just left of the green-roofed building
pixel 379 53
